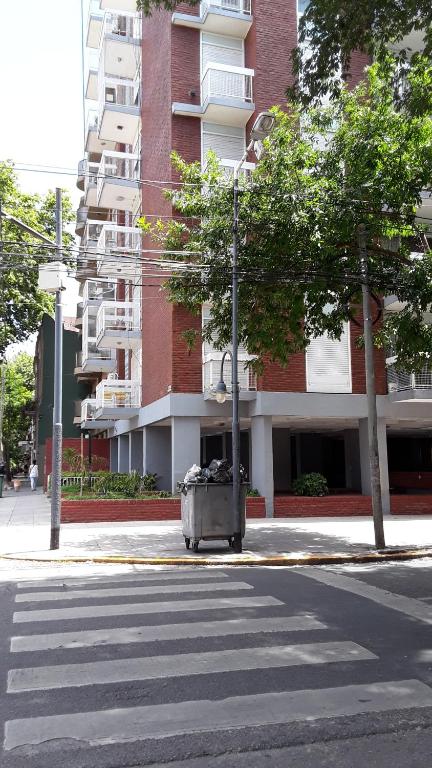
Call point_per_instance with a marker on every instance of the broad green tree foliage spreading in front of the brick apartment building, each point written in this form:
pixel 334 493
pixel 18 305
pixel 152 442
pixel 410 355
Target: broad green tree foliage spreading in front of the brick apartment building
pixel 299 213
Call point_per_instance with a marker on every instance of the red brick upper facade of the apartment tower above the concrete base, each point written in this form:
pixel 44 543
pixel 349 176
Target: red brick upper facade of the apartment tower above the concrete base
pixel 171 67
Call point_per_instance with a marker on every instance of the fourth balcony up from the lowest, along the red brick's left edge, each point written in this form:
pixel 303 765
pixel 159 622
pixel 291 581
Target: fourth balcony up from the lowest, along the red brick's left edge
pixel 117 183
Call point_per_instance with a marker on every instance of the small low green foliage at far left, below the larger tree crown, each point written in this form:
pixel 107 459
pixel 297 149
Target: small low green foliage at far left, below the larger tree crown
pixel 19 396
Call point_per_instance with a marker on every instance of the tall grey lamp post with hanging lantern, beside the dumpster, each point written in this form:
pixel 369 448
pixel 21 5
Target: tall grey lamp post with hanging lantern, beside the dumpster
pixel 261 129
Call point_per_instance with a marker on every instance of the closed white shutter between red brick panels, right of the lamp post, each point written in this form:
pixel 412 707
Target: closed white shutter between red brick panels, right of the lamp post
pixel 328 364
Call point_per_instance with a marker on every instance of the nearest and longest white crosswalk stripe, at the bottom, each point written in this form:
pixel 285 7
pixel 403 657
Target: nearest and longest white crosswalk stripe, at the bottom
pixel 159 721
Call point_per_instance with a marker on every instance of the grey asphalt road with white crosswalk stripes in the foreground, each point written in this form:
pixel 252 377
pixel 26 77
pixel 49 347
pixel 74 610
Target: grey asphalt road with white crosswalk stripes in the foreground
pixel 216 667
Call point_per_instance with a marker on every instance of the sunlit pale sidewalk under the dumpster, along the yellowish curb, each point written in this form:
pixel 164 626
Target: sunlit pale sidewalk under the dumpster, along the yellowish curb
pixel 25 533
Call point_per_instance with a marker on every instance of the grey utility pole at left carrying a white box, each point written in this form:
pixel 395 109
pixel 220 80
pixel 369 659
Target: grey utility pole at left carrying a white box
pixel 57 438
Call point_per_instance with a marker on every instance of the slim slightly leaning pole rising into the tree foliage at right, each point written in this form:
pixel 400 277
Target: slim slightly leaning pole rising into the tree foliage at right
pixel 371 393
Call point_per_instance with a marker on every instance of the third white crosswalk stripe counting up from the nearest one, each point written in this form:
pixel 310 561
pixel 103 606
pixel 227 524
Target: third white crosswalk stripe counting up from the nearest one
pixel 160 632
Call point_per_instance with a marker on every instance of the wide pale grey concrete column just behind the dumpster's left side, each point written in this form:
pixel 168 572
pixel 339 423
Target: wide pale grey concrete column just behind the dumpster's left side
pixel 185 446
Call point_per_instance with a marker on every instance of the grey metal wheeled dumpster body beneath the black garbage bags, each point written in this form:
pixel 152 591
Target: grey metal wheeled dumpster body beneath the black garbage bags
pixel 207 512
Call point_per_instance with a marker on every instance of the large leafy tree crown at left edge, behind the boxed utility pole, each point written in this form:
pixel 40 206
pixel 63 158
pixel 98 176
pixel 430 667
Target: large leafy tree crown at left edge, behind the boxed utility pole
pixel 21 303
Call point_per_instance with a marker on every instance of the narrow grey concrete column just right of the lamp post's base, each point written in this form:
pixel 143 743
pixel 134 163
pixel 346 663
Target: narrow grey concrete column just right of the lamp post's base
pixel 262 459
